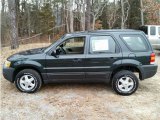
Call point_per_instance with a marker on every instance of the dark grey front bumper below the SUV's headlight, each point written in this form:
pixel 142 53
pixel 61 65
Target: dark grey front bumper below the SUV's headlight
pixel 8 73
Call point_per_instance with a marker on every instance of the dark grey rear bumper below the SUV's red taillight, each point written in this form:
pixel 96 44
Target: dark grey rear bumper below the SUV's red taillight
pixel 148 71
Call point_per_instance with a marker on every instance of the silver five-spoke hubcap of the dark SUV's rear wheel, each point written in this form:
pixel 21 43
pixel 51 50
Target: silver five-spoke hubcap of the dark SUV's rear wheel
pixel 125 84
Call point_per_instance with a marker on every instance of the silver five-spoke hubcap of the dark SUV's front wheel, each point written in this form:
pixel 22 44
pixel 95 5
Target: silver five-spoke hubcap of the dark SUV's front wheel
pixel 27 82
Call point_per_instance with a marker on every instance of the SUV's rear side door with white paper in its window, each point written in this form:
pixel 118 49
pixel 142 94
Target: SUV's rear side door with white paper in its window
pixel 103 55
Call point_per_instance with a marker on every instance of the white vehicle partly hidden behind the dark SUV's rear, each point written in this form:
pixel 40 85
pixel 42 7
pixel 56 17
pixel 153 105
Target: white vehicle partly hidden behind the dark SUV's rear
pixel 153 34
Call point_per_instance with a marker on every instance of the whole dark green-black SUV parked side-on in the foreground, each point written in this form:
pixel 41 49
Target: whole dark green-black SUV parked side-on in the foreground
pixel 111 56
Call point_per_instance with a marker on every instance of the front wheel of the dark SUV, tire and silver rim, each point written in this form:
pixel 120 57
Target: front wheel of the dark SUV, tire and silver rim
pixel 28 81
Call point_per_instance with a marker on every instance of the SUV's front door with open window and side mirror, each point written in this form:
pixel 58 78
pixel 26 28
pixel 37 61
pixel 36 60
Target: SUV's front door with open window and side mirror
pixel 69 63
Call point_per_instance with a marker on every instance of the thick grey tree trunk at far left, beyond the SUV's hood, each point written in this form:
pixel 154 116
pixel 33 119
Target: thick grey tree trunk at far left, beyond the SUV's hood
pixel 13 24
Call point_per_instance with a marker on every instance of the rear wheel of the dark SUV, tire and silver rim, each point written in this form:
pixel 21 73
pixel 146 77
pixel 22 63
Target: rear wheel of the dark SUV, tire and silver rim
pixel 125 82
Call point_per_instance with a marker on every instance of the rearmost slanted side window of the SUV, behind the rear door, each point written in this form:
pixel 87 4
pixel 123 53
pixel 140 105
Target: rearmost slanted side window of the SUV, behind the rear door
pixel 135 42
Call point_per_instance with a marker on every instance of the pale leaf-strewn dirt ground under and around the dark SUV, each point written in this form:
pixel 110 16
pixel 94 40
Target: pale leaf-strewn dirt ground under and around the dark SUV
pixel 80 101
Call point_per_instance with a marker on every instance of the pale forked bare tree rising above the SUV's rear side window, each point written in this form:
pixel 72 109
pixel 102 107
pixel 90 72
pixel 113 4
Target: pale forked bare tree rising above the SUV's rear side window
pixel 125 6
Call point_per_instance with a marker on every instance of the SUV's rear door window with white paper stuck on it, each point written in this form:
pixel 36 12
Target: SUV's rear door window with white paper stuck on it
pixel 102 44
